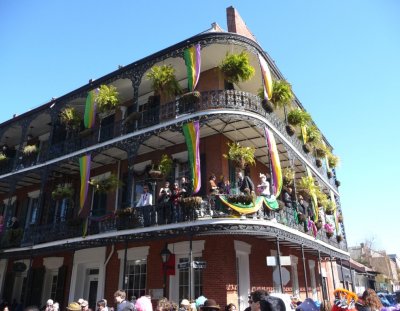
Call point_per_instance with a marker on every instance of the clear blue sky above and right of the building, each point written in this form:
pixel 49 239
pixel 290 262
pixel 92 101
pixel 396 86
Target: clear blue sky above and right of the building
pixel 341 57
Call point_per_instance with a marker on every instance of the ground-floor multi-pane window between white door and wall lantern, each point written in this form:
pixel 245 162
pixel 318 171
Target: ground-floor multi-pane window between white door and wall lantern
pixel 136 273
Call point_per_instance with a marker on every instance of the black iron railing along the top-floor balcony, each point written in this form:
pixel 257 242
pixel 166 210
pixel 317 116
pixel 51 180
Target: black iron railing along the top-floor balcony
pixel 150 115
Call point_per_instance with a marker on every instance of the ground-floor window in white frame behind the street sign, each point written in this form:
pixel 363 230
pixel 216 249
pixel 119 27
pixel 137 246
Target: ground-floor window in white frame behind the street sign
pixel 184 280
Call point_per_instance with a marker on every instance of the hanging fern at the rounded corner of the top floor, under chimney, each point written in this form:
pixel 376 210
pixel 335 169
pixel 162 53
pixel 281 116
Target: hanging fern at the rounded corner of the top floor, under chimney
pixel 236 67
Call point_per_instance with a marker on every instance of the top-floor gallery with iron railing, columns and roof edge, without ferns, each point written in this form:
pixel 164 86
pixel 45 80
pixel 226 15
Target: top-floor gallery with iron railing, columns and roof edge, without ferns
pixel 140 110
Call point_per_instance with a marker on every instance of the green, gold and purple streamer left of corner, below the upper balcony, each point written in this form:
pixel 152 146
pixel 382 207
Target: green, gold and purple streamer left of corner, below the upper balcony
pixel 191 132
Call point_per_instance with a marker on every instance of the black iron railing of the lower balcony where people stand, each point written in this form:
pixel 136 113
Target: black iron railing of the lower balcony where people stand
pixel 152 217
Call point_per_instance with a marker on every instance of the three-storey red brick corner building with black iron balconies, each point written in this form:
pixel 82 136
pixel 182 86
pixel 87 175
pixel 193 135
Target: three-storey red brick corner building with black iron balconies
pixel 67 236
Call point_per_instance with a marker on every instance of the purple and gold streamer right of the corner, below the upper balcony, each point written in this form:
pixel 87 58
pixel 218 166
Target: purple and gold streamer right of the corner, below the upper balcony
pixel 276 172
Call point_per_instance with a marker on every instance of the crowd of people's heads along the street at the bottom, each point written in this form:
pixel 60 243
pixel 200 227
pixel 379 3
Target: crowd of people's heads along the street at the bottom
pixel 259 300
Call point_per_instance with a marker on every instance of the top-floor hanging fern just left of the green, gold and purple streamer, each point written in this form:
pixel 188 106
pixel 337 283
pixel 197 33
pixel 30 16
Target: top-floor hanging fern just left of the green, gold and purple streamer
pixel 163 80
